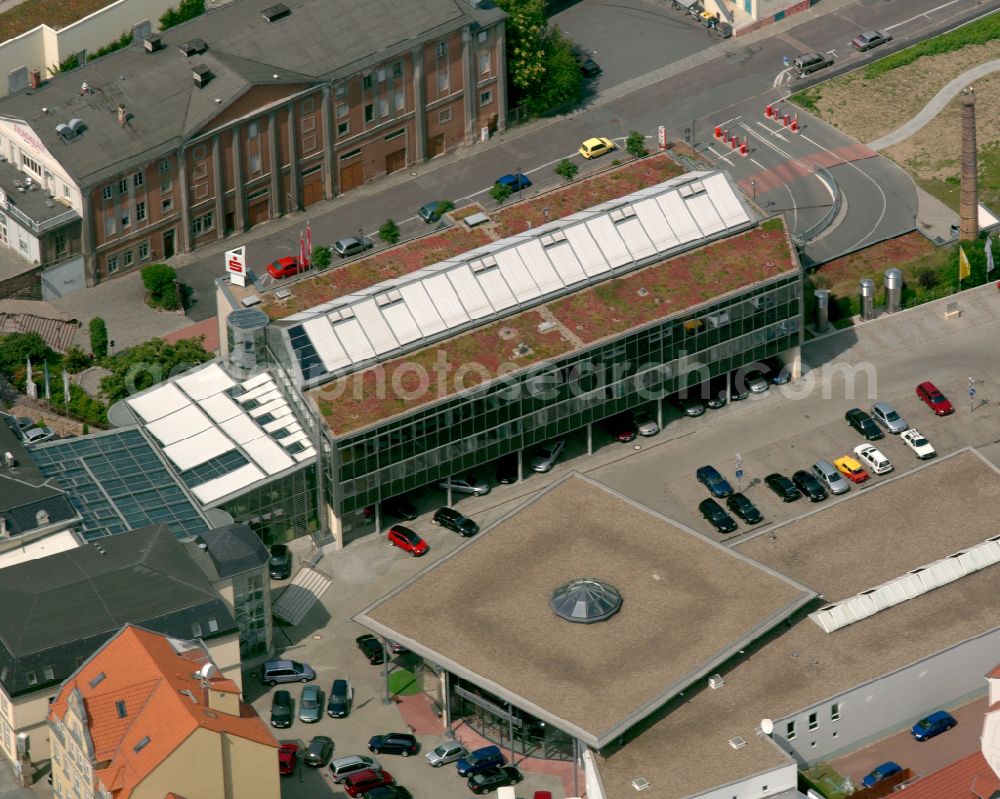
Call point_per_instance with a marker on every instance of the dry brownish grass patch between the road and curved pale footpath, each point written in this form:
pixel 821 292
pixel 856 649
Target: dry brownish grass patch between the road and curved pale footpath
pixel 869 109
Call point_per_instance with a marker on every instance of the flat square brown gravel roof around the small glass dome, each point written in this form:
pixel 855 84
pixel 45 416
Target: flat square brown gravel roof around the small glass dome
pixel 483 612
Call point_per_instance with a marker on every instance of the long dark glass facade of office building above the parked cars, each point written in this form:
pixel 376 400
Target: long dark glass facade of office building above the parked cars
pixel 549 400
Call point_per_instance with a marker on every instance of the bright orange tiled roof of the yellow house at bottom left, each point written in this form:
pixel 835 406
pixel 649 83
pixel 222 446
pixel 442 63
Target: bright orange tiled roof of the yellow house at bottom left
pixel 156 687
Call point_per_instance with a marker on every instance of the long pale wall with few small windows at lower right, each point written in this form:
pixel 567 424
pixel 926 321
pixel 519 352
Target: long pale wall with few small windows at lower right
pixel 890 703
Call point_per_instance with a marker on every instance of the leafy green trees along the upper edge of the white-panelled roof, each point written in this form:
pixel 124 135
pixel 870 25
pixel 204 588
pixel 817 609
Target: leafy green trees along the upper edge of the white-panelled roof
pixel 150 363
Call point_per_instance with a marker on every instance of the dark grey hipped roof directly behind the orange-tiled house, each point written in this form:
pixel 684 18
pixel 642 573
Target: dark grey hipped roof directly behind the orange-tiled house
pixel 69 603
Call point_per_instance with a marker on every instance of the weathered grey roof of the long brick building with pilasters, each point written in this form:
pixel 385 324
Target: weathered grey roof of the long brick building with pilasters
pixel 319 40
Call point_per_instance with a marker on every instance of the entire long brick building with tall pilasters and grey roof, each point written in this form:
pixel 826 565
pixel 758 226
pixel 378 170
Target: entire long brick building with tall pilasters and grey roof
pixel 242 115
